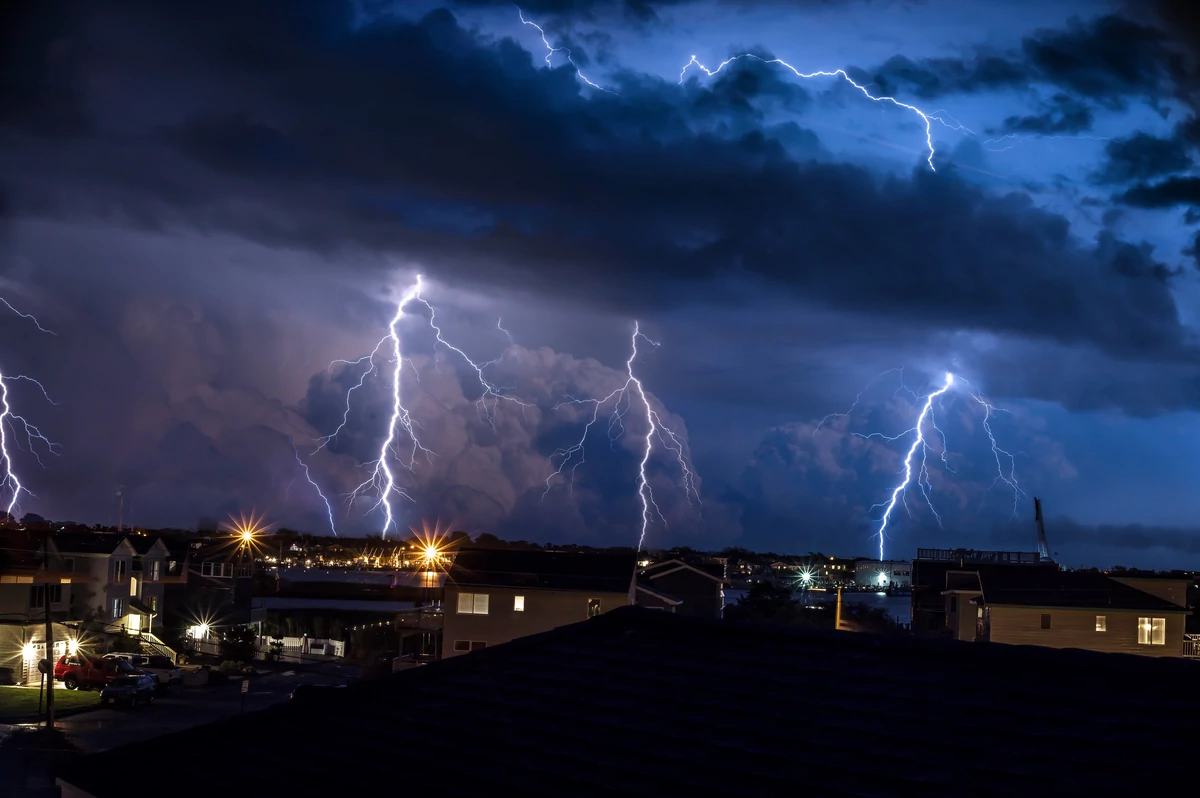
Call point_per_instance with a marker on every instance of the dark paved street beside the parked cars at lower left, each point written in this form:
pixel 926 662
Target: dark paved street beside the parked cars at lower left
pixel 183 709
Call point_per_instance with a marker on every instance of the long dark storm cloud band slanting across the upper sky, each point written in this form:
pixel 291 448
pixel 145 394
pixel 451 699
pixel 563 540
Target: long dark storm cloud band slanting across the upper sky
pixel 355 135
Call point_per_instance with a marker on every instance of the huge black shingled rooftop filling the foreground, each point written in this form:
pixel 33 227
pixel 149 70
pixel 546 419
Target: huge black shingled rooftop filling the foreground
pixel 638 703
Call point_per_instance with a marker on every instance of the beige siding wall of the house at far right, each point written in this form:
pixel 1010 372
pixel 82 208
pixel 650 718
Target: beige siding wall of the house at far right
pixel 1072 628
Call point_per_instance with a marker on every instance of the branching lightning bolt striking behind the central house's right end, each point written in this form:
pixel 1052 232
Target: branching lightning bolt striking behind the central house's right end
pixel 621 401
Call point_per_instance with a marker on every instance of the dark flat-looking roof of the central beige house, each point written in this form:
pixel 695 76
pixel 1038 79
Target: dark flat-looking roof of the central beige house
pixel 549 571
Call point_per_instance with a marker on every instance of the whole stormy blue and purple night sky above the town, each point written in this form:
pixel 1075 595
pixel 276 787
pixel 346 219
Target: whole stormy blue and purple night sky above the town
pixel 209 203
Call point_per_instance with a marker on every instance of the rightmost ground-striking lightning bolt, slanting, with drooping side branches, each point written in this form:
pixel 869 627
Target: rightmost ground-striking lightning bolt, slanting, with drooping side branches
pixel 925 427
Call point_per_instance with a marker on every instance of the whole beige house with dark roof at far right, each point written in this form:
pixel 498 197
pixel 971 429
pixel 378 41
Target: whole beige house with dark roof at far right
pixel 1067 610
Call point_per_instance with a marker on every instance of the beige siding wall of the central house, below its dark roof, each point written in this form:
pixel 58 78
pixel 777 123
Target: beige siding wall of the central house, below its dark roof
pixel 544 610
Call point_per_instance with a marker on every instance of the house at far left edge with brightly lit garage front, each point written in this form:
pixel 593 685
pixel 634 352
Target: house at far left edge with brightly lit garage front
pixel 32 577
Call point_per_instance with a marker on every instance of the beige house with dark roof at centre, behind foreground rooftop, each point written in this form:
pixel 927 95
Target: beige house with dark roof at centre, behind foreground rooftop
pixel 497 596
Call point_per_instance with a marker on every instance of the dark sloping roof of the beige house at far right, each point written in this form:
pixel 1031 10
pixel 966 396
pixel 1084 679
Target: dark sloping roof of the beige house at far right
pixel 1043 587
